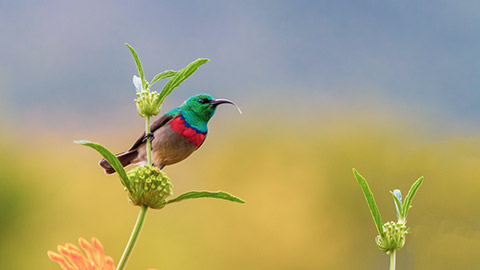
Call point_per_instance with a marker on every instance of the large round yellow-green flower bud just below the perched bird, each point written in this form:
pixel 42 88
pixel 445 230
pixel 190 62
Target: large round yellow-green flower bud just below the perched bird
pixel 148 185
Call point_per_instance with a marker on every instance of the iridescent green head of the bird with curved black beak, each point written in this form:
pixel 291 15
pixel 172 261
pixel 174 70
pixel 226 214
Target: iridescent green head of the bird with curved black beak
pixel 198 109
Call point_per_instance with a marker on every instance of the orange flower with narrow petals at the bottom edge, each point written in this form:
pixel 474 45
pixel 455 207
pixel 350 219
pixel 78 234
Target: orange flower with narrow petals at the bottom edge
pixel 72 258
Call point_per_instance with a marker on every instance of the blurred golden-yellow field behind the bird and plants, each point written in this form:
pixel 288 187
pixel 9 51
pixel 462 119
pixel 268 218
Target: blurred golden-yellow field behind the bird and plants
pixel 304 208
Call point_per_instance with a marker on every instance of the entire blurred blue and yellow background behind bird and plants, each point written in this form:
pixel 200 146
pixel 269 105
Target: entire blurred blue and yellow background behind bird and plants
pixel 390 88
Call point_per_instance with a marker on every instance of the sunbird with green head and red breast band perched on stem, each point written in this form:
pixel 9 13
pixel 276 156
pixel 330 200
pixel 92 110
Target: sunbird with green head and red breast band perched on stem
pixel 174 136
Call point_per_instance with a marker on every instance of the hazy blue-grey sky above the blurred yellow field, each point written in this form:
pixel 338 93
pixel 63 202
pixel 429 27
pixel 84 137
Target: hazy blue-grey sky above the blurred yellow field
pixel 70 56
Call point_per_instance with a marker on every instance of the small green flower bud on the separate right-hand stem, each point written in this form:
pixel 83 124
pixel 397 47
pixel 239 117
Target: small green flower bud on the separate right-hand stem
pixel 394 237
